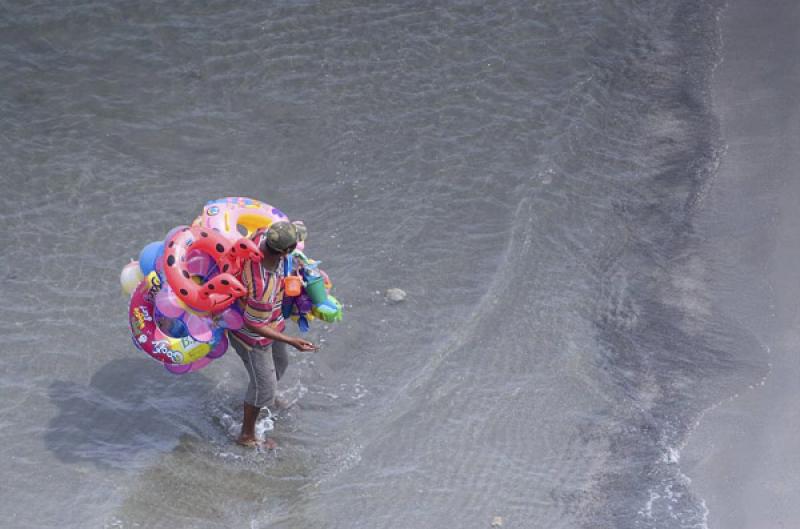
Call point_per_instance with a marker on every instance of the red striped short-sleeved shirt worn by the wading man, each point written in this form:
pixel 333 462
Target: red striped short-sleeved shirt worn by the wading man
pixel 262 304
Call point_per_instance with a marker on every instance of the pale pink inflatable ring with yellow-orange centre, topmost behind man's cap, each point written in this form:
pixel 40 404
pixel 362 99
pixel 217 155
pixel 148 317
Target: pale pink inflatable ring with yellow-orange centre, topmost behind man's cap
pixel 235 217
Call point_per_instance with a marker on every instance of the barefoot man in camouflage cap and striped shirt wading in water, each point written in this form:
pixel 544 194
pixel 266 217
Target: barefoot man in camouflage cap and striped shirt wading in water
pixel 260 342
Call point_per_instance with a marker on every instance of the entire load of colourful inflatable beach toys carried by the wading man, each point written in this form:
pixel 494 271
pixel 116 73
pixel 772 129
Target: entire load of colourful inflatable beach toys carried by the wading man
pixel 184 289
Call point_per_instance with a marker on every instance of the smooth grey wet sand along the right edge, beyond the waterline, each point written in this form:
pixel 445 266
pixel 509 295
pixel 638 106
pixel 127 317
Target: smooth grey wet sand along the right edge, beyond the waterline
pixel 743 458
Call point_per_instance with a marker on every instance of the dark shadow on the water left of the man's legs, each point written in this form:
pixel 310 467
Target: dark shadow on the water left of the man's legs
pixel 130 409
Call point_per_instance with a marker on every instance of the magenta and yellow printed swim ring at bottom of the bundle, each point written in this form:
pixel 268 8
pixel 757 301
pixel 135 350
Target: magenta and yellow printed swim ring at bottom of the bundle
pixel 148 337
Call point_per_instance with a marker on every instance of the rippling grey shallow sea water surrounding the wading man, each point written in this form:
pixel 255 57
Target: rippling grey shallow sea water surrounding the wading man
pixel 529 172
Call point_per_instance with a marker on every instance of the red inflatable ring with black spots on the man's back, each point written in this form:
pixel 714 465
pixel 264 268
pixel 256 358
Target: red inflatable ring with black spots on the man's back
pixel 219 292
